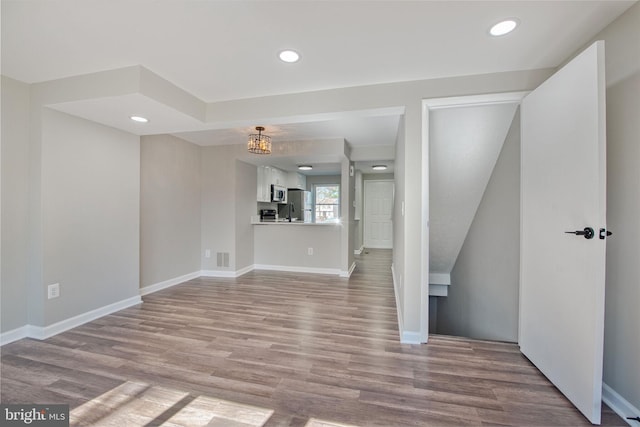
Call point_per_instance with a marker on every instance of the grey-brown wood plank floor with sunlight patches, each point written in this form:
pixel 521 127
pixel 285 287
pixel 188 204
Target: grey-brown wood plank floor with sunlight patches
pixel 279 349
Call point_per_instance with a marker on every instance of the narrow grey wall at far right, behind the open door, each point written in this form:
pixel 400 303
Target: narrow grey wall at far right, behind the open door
pixel 622 316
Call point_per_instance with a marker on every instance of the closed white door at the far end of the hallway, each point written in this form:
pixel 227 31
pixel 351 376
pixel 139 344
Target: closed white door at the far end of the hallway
pixel 378 206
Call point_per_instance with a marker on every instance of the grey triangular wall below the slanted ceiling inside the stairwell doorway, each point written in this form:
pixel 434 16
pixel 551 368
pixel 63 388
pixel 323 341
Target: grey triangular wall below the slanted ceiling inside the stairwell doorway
pixel 483 297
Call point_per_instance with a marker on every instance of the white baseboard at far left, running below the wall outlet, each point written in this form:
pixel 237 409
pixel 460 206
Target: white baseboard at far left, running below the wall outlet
pixel 44 332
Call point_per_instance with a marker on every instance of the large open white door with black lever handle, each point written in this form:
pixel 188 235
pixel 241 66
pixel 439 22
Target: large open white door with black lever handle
pixel 563 189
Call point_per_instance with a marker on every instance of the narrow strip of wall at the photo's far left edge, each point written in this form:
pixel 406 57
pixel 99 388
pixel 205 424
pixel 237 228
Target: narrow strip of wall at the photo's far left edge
pixel 15 204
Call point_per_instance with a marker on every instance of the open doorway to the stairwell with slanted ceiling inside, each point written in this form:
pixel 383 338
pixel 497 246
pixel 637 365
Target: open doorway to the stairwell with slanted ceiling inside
pixel 474 219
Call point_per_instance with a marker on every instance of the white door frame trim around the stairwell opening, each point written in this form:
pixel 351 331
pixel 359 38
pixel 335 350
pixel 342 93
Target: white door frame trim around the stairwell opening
pixel 427 106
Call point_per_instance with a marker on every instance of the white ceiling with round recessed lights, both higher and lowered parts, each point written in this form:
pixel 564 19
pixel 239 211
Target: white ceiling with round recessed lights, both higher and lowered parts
pixel 226 50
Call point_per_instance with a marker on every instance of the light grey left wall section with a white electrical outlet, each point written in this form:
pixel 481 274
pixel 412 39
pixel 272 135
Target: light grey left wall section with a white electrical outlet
pixel 90 193
